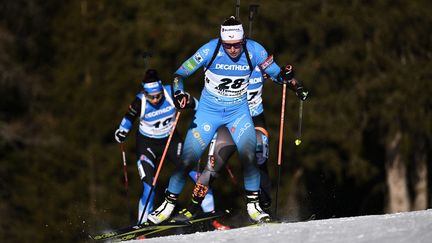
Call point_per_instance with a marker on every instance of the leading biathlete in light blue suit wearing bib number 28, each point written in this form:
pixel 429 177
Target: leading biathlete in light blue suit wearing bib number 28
pixel 223 102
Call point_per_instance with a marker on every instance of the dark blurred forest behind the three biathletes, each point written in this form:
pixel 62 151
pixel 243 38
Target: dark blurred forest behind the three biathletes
pixel 69 69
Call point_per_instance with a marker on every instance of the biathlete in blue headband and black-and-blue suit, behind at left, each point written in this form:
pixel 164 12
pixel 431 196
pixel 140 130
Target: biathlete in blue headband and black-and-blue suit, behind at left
pixel 156 111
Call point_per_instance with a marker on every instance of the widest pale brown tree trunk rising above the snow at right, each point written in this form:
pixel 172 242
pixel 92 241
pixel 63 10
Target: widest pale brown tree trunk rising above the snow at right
pixel 398 197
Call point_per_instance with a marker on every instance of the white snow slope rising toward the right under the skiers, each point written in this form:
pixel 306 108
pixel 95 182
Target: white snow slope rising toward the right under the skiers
pixel 410 227
